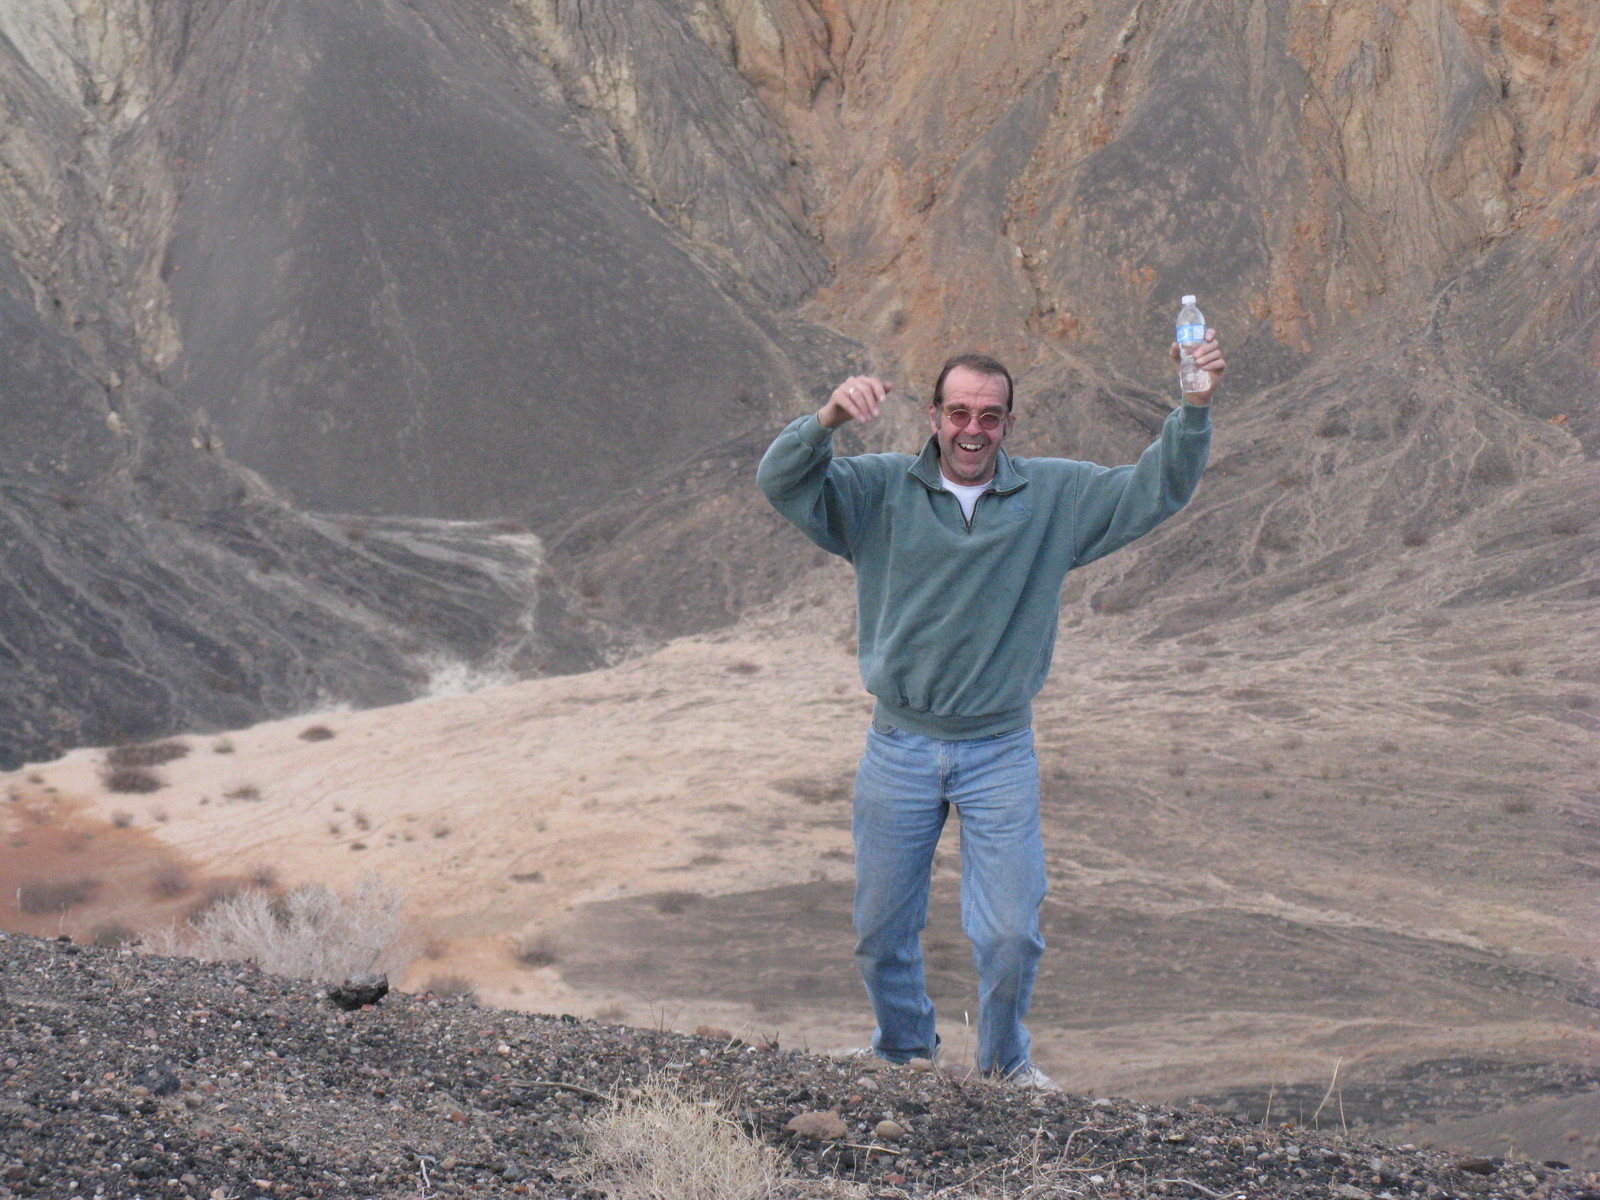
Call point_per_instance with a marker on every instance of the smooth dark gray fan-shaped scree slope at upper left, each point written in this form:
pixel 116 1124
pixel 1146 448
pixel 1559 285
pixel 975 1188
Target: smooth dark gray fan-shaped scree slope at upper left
pixel 404 282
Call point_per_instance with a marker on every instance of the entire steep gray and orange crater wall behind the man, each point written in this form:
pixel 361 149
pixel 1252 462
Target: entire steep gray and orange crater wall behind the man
pixel 569 266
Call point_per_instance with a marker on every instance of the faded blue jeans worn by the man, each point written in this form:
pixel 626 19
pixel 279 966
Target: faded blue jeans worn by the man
pixel 905 790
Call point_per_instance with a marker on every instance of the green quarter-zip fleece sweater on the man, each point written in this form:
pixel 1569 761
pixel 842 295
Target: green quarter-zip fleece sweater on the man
pixel 956 622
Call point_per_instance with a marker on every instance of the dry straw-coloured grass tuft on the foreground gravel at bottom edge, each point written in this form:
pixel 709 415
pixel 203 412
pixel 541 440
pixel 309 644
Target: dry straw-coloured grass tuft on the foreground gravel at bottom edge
pixel 662 1146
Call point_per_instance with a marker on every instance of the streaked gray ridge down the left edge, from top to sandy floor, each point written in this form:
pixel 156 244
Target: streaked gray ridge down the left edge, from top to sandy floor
pixel 151 583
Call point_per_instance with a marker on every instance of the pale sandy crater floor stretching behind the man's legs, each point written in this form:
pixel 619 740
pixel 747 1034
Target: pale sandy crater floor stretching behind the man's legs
pixel 1271 860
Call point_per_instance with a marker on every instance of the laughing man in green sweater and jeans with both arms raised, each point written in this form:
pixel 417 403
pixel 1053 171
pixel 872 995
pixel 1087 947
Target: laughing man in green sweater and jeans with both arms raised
pixel 959 561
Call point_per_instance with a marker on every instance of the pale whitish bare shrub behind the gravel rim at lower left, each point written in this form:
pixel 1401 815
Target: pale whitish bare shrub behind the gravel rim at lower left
pixel 308 932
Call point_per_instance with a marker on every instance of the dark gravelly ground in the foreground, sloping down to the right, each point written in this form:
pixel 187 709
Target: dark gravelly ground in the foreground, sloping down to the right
pixel 135 1076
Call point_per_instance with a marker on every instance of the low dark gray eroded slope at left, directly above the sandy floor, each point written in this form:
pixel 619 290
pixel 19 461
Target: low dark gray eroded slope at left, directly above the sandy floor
pixel 151 586
